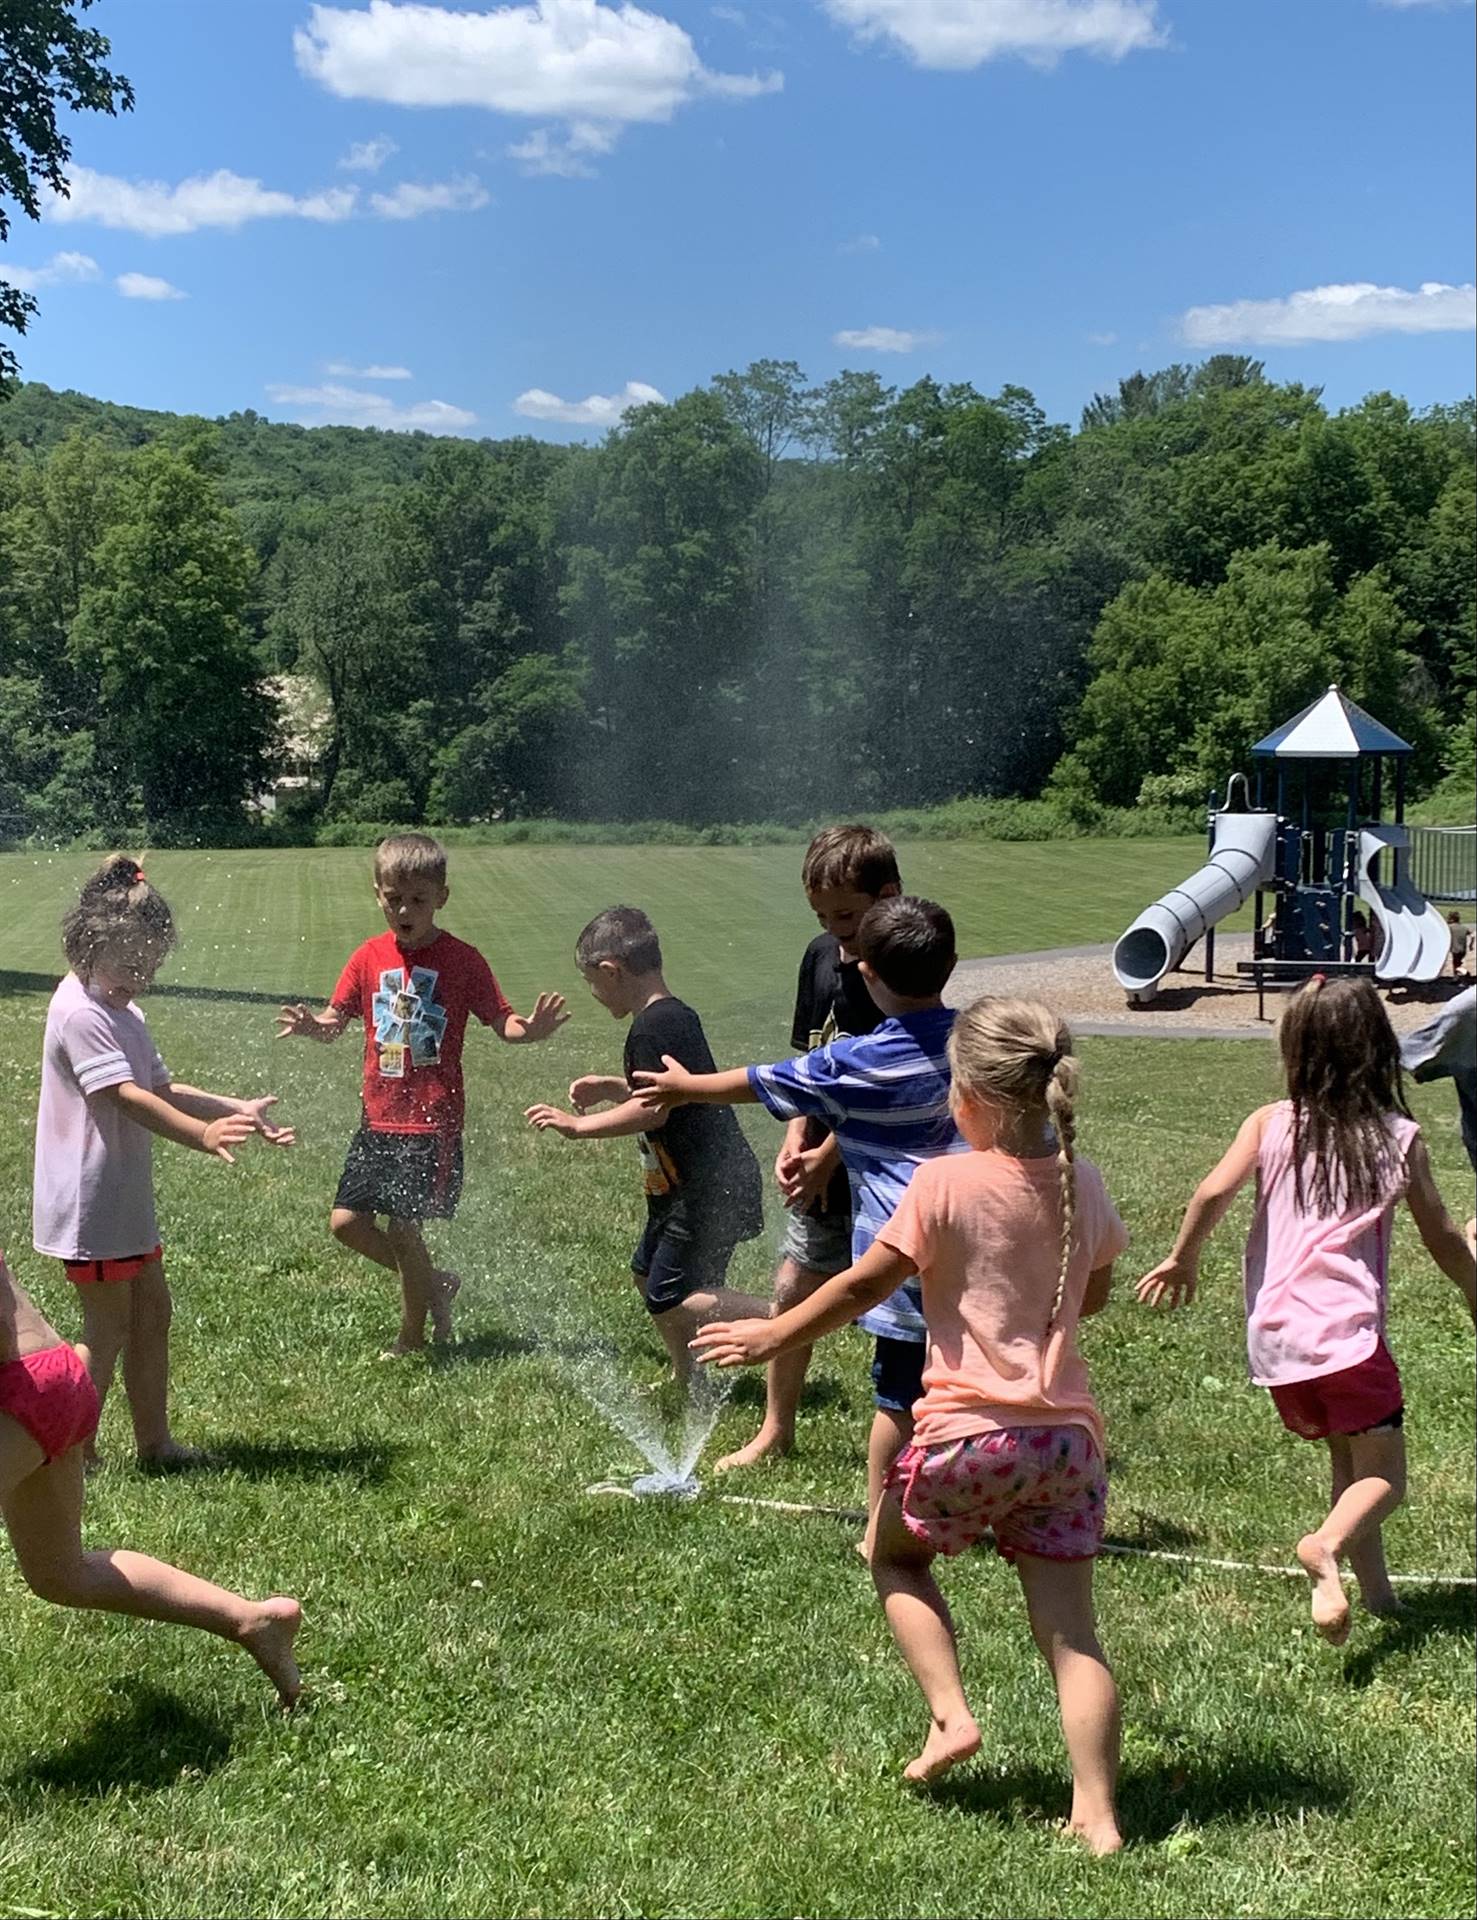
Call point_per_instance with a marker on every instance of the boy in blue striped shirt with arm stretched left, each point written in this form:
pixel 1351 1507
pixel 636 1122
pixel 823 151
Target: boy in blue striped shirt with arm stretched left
pixel 886 1099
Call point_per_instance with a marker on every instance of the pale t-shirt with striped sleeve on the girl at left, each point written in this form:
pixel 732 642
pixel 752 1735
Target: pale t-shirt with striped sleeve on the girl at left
pixel 95 1164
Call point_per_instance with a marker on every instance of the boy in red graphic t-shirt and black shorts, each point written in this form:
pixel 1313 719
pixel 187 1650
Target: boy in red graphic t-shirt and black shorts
pixel 414 990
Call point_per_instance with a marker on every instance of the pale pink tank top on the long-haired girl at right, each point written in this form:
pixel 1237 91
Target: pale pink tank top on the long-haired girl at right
pixel 1317 1284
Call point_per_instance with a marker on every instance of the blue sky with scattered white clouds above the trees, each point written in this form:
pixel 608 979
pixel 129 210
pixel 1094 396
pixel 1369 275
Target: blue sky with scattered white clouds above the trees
pixel 502 220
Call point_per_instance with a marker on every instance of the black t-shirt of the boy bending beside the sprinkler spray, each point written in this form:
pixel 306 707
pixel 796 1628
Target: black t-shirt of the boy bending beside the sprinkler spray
pixel 698 1166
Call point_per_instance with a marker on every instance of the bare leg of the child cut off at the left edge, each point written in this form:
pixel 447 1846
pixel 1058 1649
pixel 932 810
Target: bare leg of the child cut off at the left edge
pixel 43 1508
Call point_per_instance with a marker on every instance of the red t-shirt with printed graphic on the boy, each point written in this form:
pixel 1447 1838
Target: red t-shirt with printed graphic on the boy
pixel 414 1005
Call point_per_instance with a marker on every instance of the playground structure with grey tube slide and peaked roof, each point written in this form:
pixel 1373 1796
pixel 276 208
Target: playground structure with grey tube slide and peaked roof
pixel 1319 852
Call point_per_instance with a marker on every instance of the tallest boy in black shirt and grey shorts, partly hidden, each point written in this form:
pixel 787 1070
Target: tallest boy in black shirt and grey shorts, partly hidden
pixel 846 871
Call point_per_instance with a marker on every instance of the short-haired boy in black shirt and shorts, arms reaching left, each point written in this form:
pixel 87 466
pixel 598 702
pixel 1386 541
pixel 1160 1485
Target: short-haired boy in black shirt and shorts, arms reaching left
pixel 702 1180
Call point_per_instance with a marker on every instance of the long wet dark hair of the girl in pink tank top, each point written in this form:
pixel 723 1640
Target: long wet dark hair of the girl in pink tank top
pixel 1344 1078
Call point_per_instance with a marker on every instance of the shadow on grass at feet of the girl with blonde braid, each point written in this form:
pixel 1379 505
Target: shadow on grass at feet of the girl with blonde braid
pixel 1213 1788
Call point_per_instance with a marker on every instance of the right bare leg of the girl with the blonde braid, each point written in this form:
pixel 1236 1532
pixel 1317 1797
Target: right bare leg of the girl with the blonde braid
pixel 1059 1598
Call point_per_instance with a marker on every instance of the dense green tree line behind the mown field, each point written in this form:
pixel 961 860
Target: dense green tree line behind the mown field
pixel 763 602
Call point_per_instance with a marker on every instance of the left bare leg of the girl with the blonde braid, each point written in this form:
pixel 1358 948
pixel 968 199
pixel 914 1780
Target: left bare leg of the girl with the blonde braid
pixel 925 1633
